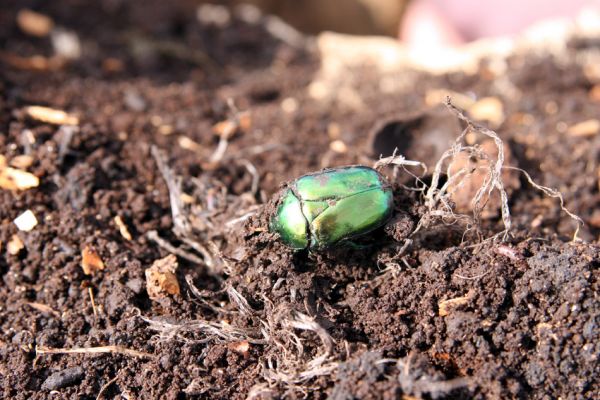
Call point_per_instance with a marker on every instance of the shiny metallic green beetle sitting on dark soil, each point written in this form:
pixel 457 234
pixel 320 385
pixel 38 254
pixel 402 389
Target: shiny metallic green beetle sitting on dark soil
pixel 320 209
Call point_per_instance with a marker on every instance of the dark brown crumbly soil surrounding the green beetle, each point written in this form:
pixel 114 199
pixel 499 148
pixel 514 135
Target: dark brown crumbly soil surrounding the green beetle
pixel 527 326
